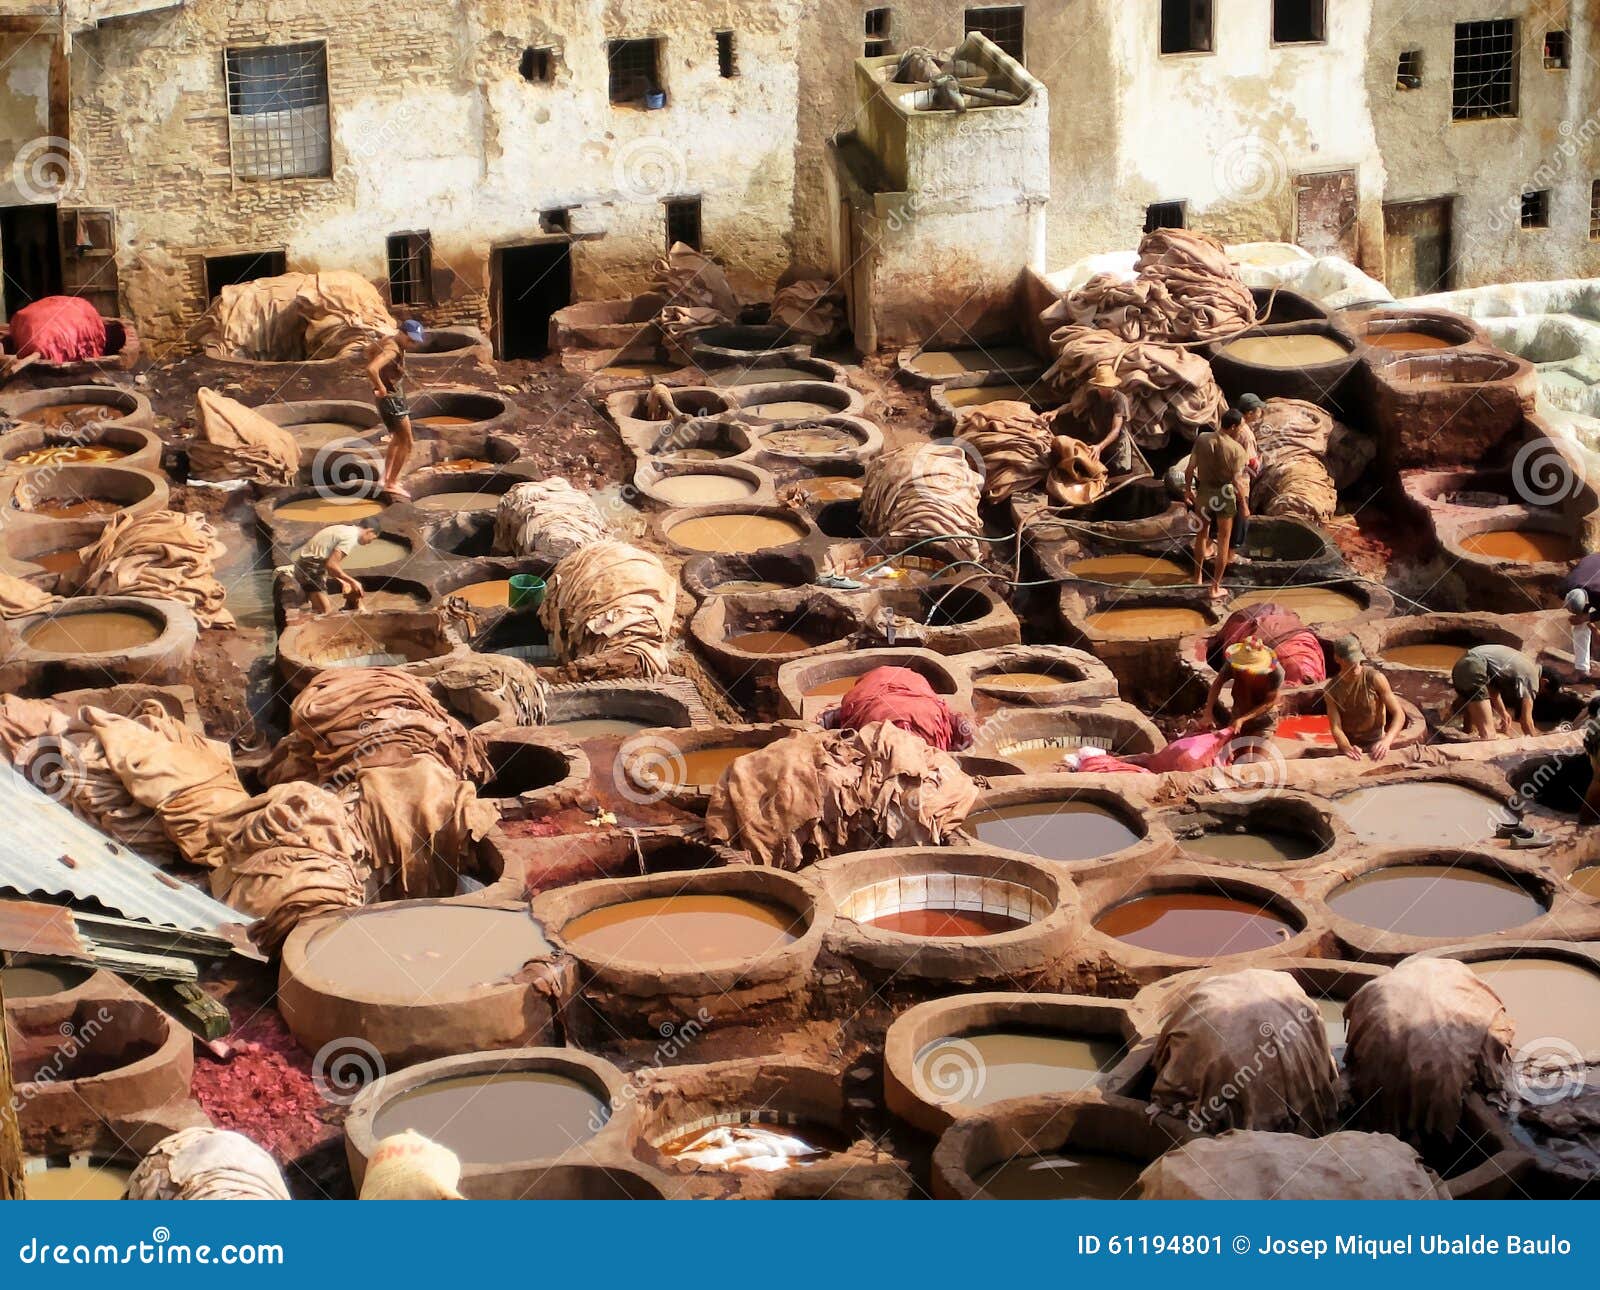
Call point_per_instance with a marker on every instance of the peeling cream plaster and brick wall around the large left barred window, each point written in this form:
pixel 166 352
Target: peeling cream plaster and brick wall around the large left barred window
pixel 433 127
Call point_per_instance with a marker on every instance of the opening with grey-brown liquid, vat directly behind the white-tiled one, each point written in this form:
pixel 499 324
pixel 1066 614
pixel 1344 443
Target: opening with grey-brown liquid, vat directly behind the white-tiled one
pixel 1076 827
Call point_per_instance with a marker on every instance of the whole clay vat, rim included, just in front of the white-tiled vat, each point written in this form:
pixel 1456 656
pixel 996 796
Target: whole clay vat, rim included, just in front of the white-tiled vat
pixel 951 1059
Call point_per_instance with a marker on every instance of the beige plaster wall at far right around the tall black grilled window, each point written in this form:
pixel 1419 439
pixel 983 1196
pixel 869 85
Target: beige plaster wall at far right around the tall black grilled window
pixel 1553 143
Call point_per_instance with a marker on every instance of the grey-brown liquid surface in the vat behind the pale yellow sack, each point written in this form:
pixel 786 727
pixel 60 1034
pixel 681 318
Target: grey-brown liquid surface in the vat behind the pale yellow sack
pixel 497 1120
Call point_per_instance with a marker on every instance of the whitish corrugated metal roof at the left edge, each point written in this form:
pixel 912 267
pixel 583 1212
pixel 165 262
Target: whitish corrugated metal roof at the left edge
pixel 39 838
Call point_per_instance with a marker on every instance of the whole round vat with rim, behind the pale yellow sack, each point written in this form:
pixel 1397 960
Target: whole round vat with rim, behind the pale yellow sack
pixel 495 1112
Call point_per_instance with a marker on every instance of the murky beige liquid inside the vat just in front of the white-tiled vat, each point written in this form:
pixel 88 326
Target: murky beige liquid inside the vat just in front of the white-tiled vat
pixel 988 1067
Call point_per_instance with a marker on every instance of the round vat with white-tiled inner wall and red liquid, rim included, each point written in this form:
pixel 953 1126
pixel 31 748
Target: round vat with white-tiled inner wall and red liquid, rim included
pixel 950 915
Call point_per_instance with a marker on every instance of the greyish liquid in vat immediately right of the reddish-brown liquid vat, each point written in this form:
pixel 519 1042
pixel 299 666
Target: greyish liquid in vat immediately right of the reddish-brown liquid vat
pixel 1434 900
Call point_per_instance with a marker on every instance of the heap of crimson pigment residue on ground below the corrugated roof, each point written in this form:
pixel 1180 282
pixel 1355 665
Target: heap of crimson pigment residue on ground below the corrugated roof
pixel 265 1088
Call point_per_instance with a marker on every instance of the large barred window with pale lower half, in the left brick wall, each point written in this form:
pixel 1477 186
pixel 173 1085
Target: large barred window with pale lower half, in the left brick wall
pixel 278 113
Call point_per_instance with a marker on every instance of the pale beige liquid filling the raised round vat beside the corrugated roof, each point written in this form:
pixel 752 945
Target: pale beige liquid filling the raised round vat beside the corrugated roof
pixel 425 953
